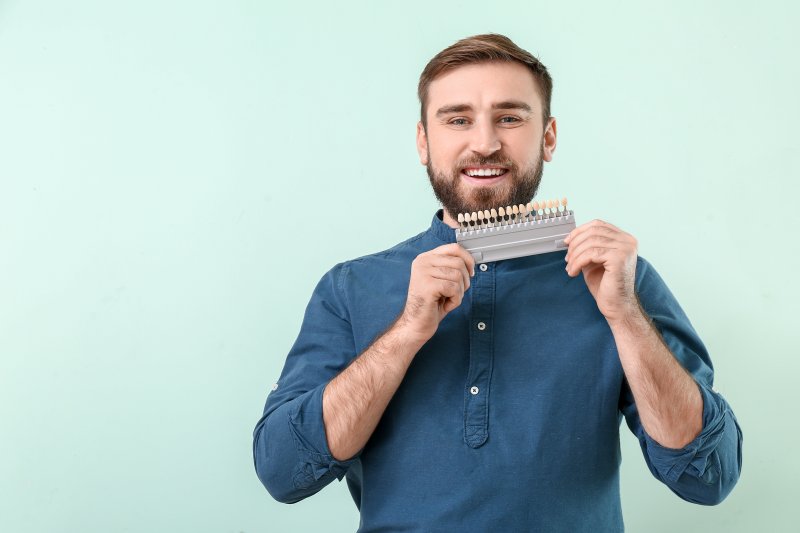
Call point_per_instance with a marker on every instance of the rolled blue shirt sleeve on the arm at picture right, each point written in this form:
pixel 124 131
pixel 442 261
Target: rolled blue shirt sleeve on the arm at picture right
pixel 705 470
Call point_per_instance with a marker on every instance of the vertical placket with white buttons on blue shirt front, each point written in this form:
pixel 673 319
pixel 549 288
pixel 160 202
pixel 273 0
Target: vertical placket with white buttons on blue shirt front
pixel 481 355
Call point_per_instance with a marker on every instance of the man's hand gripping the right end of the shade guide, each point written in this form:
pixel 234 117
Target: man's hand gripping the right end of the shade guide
pixel 607 257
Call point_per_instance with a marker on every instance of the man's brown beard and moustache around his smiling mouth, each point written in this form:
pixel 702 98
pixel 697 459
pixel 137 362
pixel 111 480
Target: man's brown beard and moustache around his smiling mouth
pixel 519 187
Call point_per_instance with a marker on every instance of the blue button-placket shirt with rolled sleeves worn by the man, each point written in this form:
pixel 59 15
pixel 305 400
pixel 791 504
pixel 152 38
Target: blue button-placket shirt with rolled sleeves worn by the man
pixel 508 417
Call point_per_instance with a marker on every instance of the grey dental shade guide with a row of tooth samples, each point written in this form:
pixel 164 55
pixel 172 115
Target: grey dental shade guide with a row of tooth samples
pixel 515 231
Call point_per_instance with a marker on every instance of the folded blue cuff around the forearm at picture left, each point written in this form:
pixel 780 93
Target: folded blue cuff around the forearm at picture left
pixel 308 431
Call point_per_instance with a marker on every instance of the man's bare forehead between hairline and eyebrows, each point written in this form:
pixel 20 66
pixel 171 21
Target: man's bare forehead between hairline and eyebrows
pixel 482 84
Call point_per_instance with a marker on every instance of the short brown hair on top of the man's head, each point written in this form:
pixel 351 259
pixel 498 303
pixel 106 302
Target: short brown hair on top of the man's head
pixel 483 49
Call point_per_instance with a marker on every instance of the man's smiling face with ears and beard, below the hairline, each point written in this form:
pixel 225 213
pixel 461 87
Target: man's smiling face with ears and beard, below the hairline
pixel 485 141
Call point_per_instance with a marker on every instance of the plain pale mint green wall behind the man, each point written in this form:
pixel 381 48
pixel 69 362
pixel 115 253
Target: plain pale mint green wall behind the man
pixel 176 176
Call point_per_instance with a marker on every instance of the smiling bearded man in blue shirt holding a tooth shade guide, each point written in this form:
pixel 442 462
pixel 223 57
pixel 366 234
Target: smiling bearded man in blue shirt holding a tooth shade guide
pixel 453 395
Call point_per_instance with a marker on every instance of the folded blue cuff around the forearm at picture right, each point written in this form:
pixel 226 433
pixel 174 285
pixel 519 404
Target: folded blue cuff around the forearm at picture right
pixel 692 459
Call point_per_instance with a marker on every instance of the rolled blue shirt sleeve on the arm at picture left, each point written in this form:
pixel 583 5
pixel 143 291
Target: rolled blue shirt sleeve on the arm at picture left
pixel 290 449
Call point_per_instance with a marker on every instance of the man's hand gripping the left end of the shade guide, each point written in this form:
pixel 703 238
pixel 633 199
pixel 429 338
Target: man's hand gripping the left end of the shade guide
pixel 439 279
